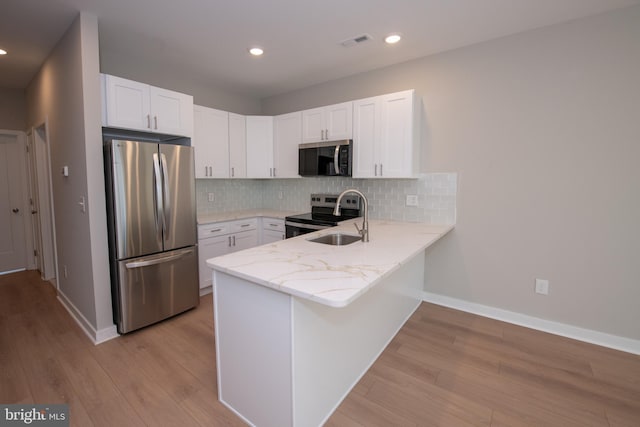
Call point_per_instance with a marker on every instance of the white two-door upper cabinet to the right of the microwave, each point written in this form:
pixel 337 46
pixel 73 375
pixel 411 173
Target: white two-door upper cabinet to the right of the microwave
pixel 385 137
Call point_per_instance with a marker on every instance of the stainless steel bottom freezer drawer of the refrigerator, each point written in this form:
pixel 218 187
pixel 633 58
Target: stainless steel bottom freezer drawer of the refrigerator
pixel 156 287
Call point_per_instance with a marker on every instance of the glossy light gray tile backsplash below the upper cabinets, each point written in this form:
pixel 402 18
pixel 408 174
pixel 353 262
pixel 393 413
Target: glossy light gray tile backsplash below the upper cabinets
pixel 387 197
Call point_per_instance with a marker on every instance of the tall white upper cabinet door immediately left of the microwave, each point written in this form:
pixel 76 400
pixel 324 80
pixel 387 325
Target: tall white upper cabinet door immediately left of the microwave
pixel 287 134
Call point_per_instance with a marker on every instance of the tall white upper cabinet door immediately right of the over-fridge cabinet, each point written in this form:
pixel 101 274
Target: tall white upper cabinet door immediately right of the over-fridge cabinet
pixel 211 142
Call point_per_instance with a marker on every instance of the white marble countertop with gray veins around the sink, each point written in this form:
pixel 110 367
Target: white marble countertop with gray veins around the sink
pixel 331 275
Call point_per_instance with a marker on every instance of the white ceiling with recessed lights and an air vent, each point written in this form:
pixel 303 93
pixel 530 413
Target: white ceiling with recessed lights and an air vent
pixel 206 40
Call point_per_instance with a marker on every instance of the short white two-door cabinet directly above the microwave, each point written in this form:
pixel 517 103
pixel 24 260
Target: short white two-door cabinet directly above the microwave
pixel 329 123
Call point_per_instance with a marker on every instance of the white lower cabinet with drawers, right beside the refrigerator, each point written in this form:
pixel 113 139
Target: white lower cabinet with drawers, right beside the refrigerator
pixel 222 238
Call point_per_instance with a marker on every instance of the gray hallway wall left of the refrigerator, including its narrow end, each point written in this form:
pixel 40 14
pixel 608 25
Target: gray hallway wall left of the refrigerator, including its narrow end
pixel 66 93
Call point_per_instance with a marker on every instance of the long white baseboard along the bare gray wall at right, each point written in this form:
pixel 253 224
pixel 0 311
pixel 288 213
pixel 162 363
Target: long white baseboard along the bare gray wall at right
pixel 594 337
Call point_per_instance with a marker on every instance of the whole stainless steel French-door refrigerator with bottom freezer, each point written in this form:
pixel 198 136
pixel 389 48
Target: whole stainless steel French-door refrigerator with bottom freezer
pixel 152 231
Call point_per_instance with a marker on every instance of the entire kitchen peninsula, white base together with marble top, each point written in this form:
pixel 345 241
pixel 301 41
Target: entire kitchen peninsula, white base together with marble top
pixel 297 323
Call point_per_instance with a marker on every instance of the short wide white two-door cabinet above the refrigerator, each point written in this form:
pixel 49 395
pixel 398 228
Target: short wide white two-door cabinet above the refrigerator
pixel 132 105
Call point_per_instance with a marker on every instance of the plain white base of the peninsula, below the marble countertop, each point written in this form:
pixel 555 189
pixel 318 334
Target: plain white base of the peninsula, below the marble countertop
pixel 288 361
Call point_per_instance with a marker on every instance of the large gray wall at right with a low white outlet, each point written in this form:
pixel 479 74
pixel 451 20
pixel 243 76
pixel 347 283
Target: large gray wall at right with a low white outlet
pixel 543 129
